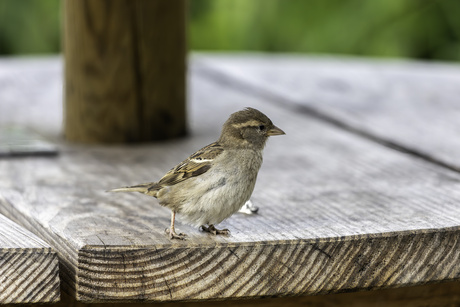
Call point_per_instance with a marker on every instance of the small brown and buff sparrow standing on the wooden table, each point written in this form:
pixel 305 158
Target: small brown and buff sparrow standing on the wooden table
pixel 217 180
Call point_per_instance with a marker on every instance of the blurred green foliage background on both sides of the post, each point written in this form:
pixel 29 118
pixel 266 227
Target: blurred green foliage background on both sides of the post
pixel 418 29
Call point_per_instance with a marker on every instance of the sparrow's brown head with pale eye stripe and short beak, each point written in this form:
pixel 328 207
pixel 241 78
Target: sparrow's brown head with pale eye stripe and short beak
pixel 248 128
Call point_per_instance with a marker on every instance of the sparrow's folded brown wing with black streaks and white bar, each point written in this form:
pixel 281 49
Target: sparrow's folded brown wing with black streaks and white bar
pixel 197 164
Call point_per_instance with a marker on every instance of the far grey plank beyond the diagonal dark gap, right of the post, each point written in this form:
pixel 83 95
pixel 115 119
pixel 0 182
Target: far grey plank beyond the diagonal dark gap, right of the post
pixel 410 105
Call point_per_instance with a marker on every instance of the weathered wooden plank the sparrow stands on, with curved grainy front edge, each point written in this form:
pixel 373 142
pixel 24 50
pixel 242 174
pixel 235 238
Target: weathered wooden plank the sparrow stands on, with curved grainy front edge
pixel 338 213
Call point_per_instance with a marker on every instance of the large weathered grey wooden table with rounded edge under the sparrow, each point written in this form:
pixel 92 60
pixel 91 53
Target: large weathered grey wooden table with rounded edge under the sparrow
pixel 363 192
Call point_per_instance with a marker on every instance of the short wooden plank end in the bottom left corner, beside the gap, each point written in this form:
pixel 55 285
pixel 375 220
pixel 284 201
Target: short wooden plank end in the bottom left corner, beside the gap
pixel 28 266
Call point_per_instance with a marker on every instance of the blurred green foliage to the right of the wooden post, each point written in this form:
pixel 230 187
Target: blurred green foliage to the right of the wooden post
pixel 388 28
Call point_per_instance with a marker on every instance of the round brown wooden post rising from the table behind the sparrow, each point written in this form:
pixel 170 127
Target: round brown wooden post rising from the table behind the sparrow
pixel 125 70
